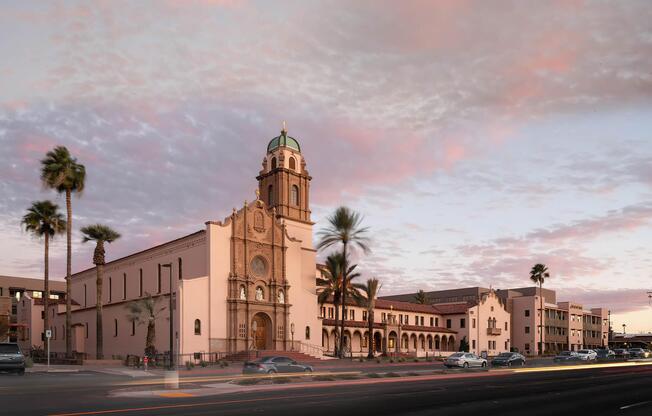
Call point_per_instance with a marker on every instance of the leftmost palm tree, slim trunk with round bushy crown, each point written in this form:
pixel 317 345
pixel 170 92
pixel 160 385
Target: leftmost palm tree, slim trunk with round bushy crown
pixel 43 219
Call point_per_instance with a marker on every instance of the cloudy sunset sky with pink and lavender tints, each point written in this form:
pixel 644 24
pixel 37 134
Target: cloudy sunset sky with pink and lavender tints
pixel 477 138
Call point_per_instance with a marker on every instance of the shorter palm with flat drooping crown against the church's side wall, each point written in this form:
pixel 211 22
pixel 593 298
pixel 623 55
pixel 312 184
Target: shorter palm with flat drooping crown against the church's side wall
pixel 100 234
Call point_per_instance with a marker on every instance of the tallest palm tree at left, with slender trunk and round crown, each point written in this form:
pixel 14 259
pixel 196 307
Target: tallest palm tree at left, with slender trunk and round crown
pixel 61 172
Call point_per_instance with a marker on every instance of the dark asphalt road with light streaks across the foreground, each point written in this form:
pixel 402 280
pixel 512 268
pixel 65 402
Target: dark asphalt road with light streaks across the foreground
pixel 593 391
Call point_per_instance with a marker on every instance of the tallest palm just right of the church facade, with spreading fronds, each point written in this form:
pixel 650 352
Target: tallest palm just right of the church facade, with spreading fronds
pixel 344 227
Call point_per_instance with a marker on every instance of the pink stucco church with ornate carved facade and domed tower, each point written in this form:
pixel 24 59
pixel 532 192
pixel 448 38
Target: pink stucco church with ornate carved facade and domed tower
pixel 245 282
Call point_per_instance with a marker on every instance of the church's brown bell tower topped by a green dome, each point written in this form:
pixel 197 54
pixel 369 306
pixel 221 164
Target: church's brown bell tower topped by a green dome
pixel 284 182
